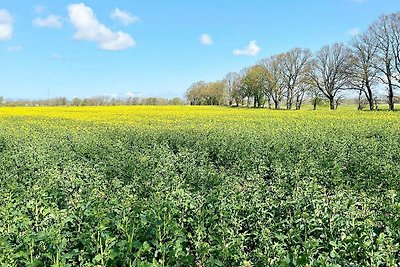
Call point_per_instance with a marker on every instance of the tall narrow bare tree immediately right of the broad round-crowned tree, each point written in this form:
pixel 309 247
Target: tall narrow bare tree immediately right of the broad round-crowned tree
pixel 364 74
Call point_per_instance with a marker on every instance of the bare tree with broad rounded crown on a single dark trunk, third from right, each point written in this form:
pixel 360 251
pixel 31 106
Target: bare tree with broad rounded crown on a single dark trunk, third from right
pixel 330 71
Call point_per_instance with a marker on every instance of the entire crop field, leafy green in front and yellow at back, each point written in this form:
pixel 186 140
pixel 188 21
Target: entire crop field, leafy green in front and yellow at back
pixel 199 186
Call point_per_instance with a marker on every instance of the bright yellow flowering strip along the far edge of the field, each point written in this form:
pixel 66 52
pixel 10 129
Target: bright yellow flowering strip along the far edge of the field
pixel 192 117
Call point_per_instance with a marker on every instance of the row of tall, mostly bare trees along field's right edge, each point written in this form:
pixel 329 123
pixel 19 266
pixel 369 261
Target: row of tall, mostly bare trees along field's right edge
pixel 369 63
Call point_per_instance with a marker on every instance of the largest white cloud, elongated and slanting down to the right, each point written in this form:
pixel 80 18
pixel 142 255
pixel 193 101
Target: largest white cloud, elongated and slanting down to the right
pixel 90 29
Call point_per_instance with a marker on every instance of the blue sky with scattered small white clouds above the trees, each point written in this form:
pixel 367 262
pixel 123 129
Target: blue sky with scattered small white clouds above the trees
pixel 159 48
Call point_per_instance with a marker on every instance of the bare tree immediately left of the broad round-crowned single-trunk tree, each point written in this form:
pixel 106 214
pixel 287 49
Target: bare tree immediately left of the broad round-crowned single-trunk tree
pixel 295 64
